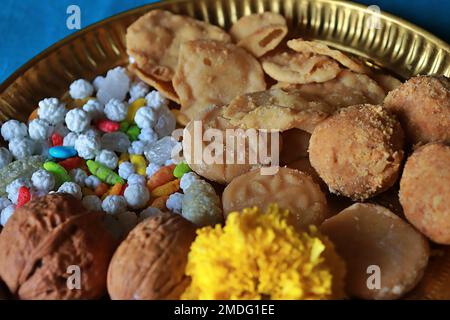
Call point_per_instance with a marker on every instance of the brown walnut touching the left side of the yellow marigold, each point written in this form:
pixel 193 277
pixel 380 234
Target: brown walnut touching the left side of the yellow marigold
pixel 150 263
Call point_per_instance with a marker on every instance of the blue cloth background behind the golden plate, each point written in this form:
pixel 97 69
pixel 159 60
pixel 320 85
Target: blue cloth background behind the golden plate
pixel 29 26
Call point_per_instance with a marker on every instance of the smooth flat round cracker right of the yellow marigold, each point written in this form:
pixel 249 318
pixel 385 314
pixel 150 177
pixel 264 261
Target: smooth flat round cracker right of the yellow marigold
pixel 375 243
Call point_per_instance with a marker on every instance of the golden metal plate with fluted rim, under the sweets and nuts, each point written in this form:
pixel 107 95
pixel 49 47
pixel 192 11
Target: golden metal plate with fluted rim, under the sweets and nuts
pixel 398 46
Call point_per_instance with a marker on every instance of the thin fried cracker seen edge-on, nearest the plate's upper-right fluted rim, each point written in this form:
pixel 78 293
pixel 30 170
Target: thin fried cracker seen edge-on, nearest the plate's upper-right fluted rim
pixel 314 47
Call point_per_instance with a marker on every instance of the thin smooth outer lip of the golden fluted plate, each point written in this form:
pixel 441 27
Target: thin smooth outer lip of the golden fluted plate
pixel 349 4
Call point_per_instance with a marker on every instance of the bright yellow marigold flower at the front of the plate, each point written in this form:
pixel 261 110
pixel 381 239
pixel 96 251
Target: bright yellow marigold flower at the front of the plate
pixel 260 256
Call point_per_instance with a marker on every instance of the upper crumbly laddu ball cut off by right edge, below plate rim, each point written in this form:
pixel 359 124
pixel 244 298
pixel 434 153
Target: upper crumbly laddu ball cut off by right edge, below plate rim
pixel 422 105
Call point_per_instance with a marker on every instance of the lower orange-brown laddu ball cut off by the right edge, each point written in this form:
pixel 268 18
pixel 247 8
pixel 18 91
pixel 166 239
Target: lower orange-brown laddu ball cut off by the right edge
pixel 425 191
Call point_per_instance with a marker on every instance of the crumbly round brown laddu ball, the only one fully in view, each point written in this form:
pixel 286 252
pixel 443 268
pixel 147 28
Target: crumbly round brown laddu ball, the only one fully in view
pixel 358 151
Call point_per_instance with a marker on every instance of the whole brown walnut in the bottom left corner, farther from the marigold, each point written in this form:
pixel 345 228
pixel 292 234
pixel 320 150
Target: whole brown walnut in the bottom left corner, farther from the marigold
pixel 46 236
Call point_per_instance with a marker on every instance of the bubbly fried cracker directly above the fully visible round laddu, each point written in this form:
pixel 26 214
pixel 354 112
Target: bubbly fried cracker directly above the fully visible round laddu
pixel 347 89
